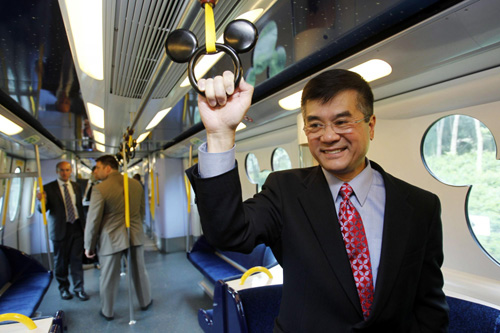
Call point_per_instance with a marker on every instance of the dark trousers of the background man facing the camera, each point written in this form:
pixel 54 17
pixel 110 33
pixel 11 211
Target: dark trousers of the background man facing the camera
pixel 68 253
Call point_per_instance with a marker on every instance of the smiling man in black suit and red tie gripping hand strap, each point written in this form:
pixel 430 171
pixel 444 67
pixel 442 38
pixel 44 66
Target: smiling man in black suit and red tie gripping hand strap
pixel 361 250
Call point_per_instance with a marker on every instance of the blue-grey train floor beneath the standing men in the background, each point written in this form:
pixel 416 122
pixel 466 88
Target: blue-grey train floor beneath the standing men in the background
pixel 176 299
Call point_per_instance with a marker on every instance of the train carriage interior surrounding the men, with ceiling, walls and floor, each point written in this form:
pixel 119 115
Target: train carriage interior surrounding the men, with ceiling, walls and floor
pixel 80 79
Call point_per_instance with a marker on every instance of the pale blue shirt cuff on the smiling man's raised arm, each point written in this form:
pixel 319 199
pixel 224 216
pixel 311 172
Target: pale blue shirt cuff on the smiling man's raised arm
pixel 214 164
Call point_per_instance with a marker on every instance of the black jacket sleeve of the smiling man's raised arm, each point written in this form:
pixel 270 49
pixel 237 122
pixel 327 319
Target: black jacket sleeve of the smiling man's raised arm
pixel 237 226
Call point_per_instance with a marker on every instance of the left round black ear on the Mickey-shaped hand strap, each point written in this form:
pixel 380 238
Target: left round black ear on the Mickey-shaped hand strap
pixel 180 45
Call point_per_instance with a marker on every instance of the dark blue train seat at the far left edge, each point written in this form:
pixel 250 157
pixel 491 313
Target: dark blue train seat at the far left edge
pixel 23 282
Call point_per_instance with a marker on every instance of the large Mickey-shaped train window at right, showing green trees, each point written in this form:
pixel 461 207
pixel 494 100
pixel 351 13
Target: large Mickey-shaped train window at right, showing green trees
pixel 460 150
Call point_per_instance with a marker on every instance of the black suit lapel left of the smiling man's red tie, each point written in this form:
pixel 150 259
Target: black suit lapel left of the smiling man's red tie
pixel 319 207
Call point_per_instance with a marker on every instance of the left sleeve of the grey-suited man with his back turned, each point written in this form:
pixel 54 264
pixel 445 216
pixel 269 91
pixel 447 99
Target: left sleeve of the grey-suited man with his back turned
pixel 94 219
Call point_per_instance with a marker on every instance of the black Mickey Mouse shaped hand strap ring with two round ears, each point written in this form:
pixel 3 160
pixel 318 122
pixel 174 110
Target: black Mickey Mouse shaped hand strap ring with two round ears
pixel 240 36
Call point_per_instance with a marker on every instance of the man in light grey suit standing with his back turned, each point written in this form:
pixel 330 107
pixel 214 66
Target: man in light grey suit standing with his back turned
pixel 106 231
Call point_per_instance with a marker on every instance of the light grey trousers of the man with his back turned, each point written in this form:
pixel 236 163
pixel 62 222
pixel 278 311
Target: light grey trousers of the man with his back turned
pixel 110 278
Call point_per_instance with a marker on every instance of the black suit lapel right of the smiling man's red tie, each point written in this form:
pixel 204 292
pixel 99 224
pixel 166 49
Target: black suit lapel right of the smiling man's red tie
pixel 395 237
